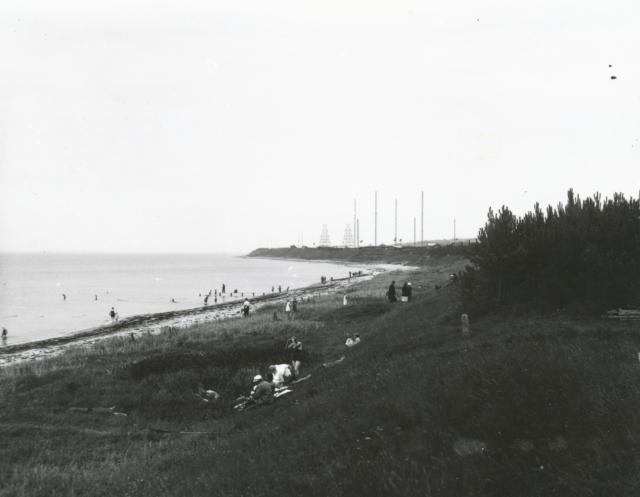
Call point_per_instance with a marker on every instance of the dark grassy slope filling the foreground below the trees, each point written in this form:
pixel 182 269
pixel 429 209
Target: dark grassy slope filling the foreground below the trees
pixel 525 407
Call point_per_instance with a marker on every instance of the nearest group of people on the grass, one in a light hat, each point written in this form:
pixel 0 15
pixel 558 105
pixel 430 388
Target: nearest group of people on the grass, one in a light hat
pixel 277 380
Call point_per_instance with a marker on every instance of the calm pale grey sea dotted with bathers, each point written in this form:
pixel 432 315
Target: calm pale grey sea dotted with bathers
pixel 32 306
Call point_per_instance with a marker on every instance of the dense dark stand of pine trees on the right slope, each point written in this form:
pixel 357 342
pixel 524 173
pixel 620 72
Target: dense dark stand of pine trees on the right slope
pixel 583 253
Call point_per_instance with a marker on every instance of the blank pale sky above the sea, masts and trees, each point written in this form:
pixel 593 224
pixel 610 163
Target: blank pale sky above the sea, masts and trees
pixel 204 126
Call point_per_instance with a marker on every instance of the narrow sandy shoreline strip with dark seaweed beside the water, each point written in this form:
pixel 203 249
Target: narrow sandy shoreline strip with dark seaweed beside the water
pixel 180 319
